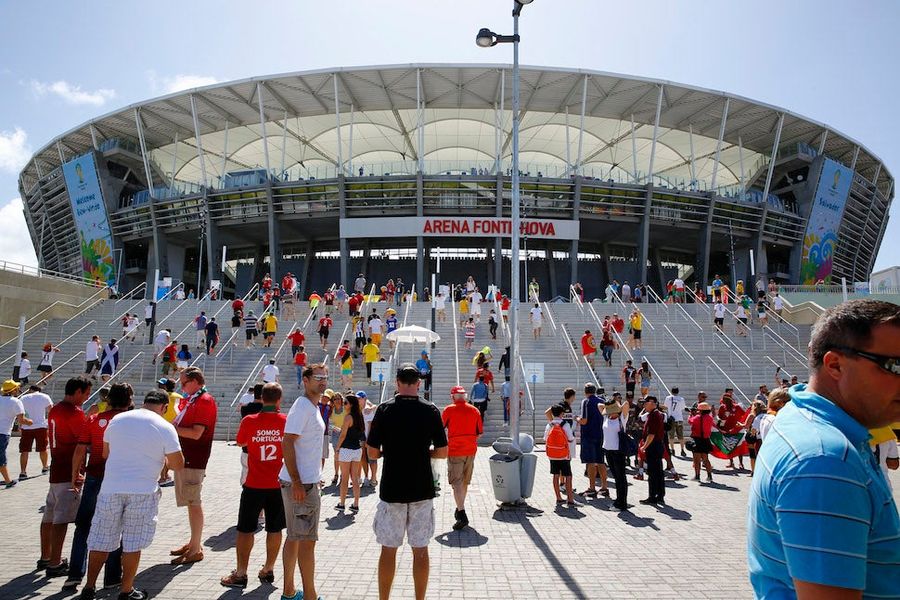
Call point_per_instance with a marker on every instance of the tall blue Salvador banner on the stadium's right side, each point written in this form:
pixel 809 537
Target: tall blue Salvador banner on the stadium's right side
pixel 820 241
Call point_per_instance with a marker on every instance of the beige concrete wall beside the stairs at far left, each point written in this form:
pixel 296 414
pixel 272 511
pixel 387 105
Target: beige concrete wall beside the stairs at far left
pixel 28 295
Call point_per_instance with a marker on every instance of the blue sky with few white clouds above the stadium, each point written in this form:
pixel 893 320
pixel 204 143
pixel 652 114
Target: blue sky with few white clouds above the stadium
pixel 62 63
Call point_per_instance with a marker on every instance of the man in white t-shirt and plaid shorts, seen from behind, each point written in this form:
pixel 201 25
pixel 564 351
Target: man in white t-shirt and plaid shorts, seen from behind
pixel 137 444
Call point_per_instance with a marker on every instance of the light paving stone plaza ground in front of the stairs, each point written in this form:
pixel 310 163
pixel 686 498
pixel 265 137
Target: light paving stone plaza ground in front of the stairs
pixel 692 548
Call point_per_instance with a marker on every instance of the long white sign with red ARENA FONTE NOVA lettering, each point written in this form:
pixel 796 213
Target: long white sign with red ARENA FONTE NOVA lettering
pixel 552 229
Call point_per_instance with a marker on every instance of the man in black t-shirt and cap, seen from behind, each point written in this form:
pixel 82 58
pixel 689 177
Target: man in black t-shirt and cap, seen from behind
pixel 408 432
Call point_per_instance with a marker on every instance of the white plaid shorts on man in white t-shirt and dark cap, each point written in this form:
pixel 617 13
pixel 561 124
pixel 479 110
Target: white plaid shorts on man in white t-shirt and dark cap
pixel 129 518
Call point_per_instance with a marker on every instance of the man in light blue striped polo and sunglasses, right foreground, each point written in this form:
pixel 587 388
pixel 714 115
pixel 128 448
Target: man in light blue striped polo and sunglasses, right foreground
pixel 822 521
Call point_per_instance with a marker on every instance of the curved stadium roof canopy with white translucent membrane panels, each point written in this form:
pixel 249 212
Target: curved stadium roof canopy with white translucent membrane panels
pixel 370 117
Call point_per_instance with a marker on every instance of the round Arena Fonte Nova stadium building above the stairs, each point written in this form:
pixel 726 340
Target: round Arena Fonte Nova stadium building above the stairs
pixel 327 173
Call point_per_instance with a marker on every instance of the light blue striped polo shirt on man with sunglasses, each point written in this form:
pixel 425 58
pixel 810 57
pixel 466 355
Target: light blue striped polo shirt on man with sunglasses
pixel 820 509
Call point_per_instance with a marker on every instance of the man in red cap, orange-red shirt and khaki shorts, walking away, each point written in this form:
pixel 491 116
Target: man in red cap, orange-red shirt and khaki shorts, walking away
pixel 463 424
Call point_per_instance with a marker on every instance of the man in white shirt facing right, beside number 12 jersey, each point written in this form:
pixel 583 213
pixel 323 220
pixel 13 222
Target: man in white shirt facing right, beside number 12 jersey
pixel 300 475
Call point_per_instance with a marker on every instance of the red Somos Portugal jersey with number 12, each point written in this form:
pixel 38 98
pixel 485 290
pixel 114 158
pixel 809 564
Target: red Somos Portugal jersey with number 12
pixel 262 434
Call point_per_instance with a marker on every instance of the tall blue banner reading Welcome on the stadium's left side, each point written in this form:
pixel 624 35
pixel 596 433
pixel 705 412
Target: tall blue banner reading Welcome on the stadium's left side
pixel 91 220
